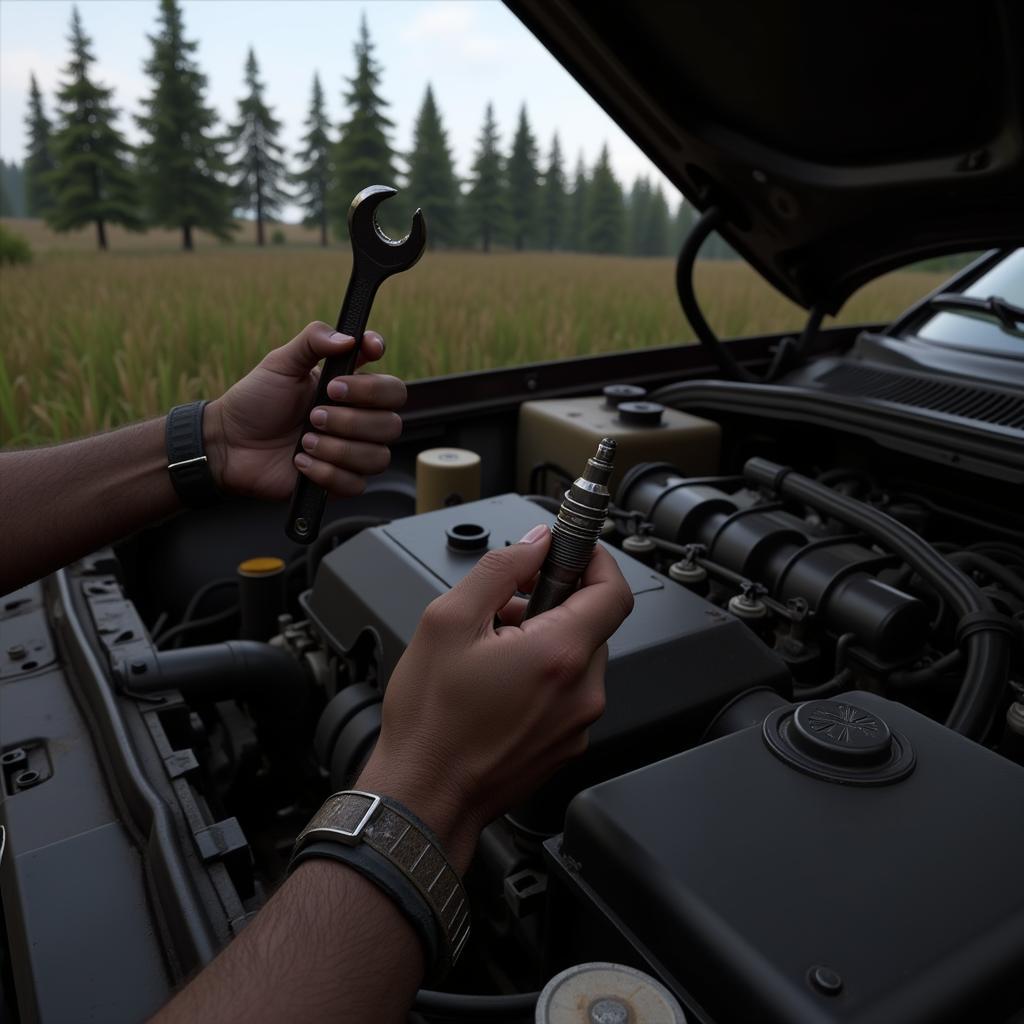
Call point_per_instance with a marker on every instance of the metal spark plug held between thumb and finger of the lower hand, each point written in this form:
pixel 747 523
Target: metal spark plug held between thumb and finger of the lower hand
pixel 576 532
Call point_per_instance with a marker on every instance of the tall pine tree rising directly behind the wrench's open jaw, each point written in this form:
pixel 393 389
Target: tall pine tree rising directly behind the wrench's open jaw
pixel 364 155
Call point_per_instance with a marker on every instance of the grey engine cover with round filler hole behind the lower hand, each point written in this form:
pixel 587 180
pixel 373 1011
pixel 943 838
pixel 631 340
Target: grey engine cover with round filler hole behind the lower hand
pixel 672 664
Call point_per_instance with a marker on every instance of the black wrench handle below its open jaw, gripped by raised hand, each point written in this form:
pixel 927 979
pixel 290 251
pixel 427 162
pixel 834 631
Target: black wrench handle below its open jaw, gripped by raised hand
pixel 309 499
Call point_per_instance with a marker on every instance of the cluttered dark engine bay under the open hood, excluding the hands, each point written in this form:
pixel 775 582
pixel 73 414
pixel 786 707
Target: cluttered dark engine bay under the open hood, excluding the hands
pixel 805 798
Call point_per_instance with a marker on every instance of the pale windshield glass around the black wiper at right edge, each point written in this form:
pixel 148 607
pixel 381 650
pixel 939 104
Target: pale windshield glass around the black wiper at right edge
pixel 975 331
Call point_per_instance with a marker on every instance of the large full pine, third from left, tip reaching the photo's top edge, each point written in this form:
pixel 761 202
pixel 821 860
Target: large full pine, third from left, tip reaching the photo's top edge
pixel 182 162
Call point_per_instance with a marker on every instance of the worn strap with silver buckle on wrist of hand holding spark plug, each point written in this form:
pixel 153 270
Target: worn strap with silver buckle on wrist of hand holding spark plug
pixel 392 847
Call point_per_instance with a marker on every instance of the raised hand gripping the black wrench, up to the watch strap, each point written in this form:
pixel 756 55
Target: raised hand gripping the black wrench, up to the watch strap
pixel 250 432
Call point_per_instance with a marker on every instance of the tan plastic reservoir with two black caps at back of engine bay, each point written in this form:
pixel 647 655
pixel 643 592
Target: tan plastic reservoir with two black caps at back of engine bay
pixel 565 433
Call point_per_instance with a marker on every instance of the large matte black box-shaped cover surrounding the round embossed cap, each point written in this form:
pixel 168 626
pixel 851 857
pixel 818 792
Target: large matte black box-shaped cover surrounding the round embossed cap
pixel 743 876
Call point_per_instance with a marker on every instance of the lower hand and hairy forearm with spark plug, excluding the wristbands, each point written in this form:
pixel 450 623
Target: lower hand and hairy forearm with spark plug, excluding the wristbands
pixel 476 718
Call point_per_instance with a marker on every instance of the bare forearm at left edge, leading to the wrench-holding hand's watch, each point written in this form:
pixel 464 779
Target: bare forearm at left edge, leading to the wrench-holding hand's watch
pixel 58 504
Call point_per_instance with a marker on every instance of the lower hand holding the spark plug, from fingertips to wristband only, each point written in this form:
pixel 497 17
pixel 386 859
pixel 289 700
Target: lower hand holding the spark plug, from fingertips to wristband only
pixel 477 717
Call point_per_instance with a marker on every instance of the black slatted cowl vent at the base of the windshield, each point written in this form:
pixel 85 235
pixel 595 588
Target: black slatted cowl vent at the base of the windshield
pixel 968 402
